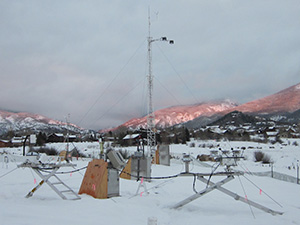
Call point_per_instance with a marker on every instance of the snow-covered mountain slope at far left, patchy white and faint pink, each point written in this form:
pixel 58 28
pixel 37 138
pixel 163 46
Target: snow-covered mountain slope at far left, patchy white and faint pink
pixel 24 121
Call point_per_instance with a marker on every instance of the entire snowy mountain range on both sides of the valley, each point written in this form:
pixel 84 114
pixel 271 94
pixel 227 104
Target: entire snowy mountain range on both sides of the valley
pixel 281 106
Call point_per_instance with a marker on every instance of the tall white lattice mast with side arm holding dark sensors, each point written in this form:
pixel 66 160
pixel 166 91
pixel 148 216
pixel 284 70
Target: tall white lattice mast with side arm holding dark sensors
pixel 151 139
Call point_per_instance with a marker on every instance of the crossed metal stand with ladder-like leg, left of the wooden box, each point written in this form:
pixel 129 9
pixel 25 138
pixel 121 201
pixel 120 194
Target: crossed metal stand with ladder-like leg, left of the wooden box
pixel 63 190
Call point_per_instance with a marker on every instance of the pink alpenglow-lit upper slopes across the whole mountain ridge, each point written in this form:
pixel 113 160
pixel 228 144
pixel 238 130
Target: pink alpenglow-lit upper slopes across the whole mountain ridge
pixel 287 100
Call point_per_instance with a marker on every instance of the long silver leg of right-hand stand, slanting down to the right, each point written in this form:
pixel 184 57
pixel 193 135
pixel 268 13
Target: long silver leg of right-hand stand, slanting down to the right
pixel 240 198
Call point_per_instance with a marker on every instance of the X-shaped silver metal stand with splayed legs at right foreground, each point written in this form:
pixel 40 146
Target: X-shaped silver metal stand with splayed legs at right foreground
pixel 212 186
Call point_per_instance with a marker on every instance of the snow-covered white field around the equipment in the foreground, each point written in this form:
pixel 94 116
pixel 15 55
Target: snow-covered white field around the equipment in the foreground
pixel 47 208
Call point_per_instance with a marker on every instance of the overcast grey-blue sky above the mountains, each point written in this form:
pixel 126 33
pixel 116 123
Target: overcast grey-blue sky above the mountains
pixel 89 58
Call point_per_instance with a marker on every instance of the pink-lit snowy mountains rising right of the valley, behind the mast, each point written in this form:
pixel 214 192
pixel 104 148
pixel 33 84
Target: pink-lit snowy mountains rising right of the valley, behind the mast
pixel 285 101
